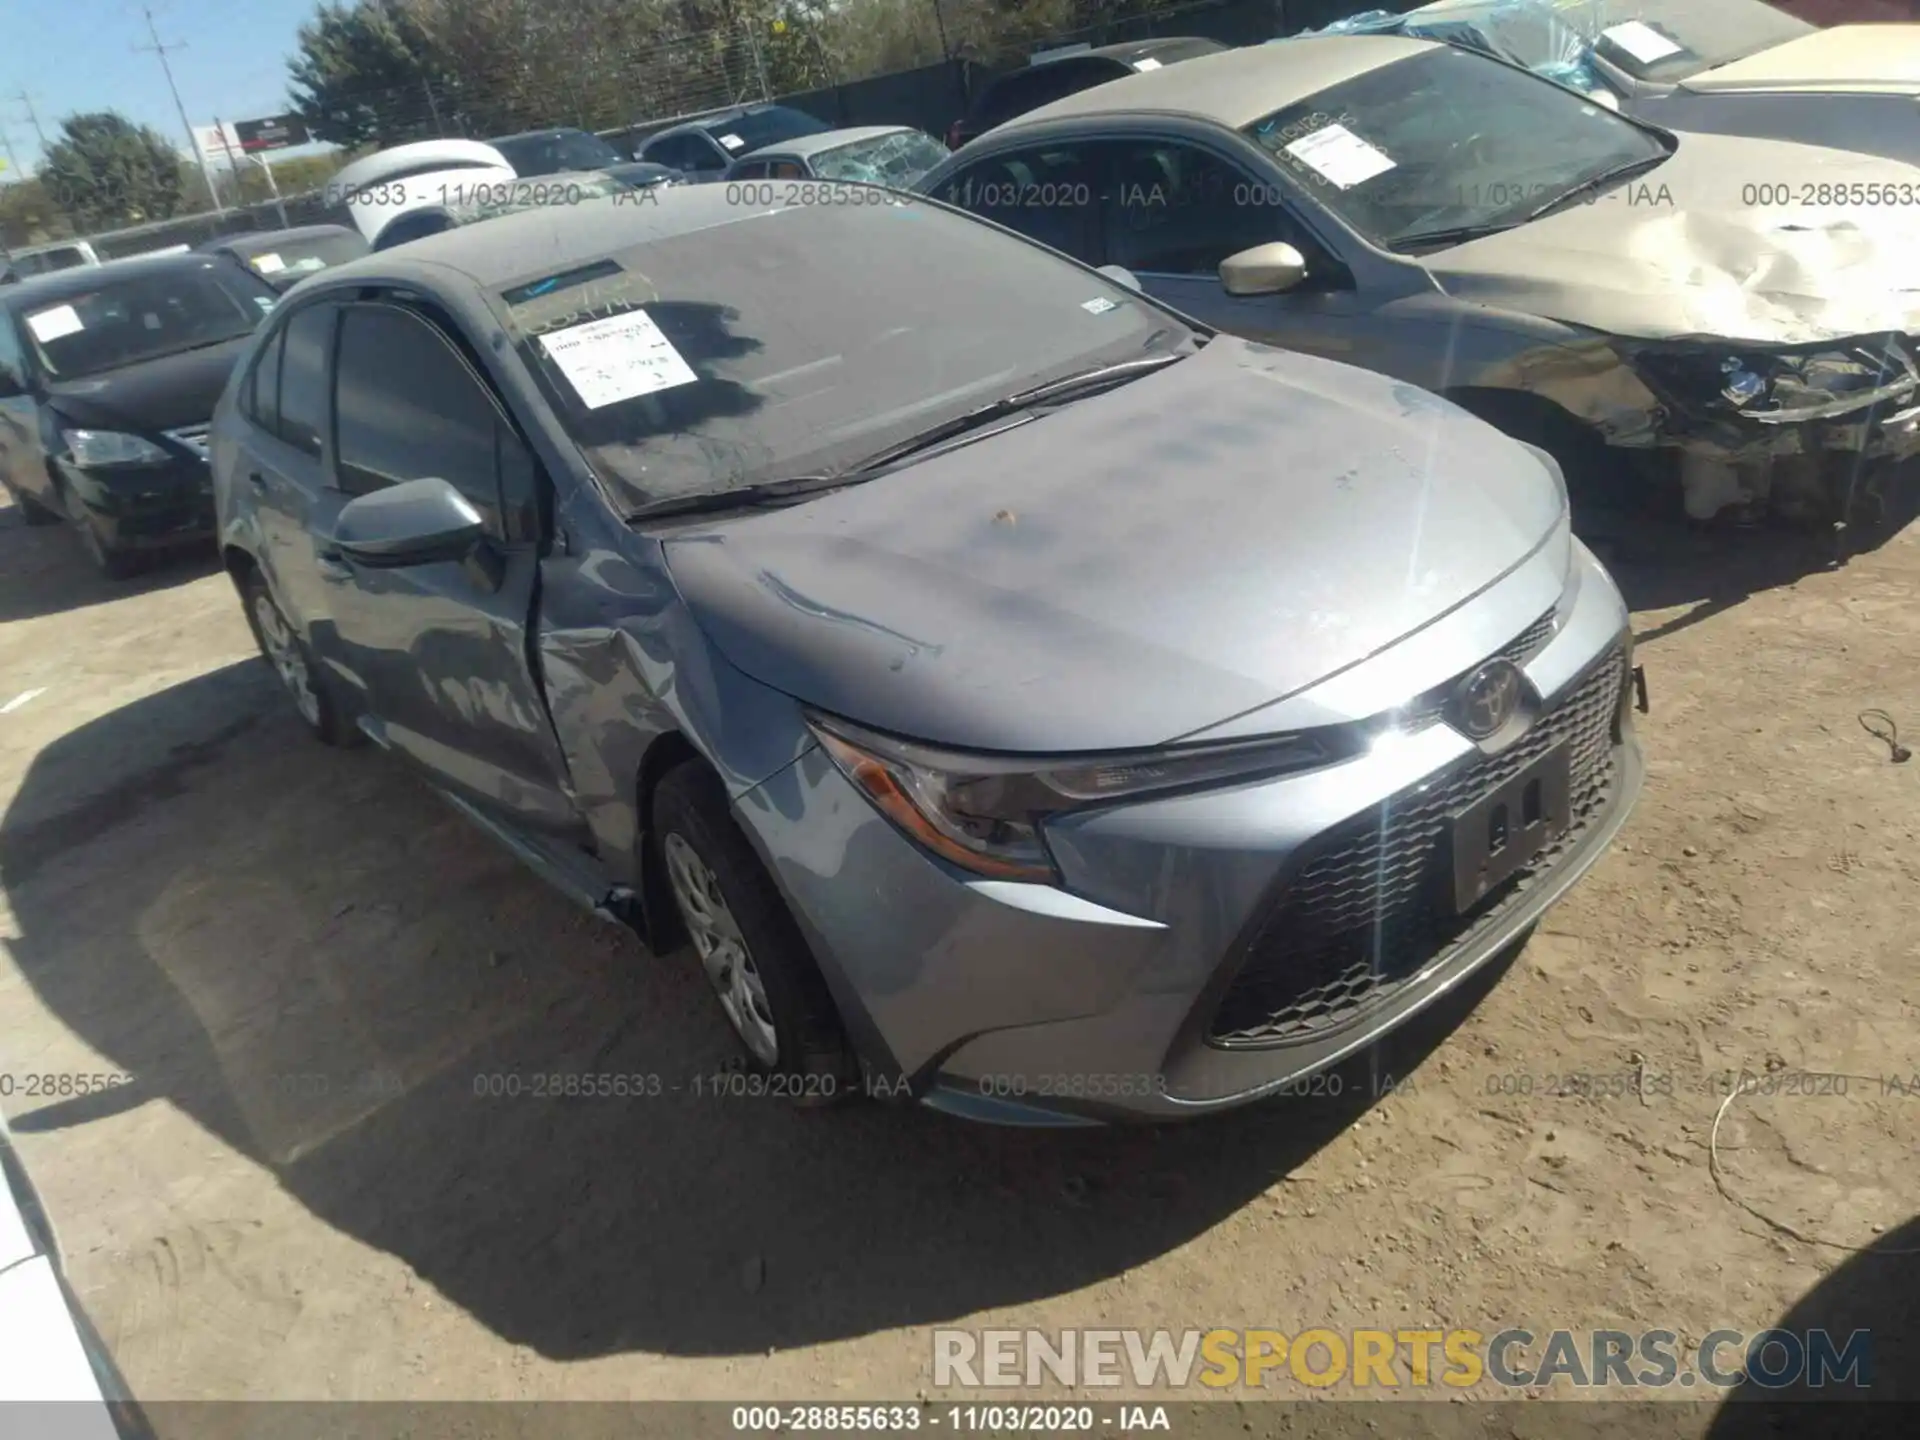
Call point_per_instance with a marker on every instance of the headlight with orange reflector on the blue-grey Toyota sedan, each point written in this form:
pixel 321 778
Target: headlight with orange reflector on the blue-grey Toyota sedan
pixel 984 813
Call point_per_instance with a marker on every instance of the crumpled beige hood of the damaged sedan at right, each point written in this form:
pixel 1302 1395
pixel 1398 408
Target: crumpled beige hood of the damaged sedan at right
pixel 1691 251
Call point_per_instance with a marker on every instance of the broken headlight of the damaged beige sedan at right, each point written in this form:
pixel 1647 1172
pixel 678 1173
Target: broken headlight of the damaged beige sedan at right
pixel 1773 385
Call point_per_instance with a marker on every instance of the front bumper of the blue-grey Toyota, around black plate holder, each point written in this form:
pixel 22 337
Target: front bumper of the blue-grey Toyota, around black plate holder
pixel 1207 949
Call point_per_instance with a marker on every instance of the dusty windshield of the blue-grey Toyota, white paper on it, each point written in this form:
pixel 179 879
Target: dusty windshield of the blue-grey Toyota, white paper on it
pixel 807 339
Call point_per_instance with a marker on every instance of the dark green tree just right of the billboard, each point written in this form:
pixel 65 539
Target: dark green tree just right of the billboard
pixel 370 74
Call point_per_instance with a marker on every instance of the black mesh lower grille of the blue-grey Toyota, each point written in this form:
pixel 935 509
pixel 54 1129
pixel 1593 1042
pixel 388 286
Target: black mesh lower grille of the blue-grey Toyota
pixel 1370 909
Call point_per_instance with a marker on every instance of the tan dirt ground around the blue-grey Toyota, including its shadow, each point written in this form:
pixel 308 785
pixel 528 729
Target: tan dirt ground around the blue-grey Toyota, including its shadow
pixel 300 963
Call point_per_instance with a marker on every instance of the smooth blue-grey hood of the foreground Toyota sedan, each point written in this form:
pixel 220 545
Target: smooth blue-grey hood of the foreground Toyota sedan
pixel 1134 567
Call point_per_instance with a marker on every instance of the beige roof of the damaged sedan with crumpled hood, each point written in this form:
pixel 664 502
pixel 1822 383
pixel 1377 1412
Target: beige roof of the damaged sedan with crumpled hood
pixel 1236 87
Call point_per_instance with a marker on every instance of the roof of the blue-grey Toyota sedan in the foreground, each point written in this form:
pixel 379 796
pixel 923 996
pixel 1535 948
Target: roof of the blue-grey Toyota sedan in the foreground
pixel 550 239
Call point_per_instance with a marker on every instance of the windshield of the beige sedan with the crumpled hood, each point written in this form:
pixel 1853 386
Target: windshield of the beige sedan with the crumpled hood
pixel 1447 139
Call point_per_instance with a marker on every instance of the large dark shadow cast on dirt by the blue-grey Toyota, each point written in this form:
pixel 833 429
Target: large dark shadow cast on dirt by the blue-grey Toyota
pixel 322 965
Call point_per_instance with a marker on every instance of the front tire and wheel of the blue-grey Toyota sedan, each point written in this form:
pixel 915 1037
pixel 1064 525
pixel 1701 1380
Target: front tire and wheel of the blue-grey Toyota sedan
pixel 771 992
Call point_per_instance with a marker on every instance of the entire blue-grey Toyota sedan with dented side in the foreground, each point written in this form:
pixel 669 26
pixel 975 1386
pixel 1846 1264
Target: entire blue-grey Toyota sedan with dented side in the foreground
pixel 959 665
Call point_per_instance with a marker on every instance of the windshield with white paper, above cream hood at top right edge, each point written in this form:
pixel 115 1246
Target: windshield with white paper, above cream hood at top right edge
pixel 1668 41
